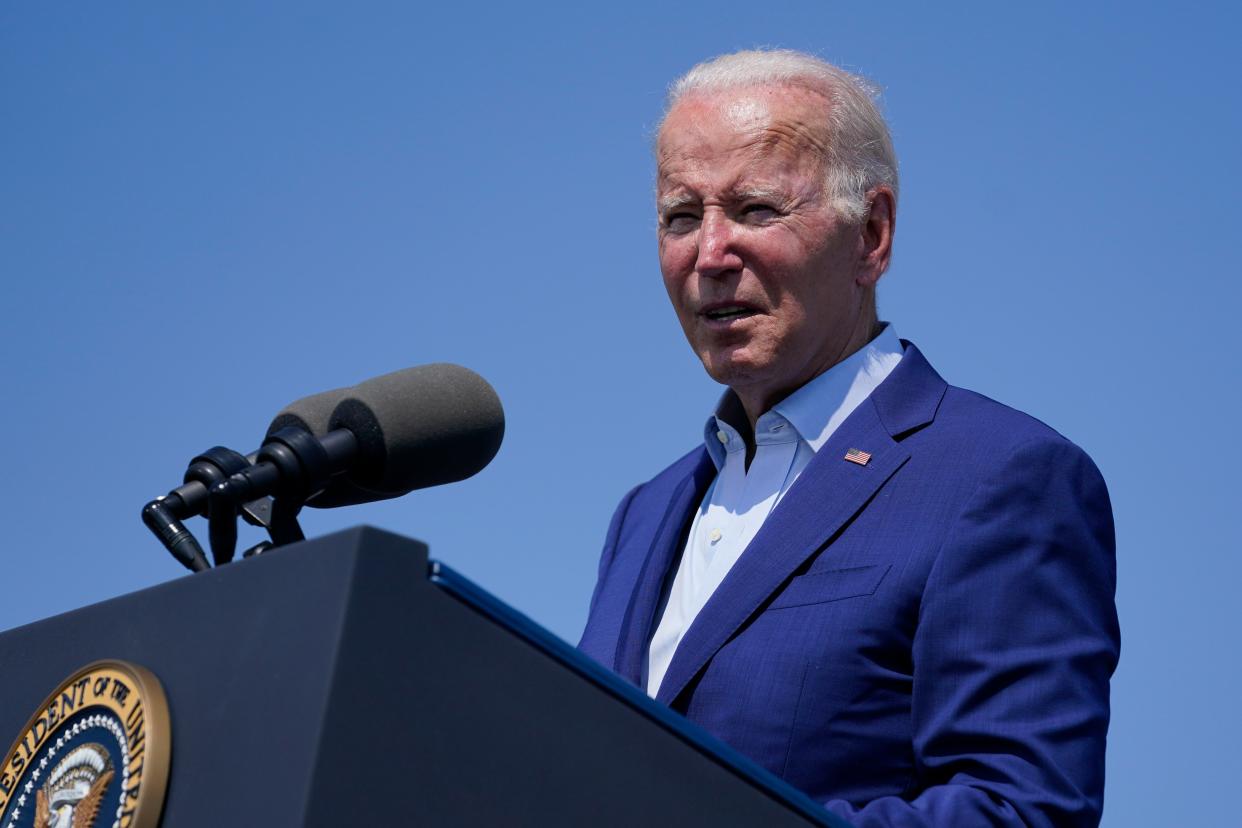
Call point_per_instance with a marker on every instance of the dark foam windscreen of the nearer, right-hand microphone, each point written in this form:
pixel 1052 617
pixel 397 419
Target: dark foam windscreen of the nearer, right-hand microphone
pixel 419 428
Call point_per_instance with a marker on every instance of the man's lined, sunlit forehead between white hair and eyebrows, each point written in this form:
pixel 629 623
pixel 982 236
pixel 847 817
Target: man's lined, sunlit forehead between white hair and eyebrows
pixel 741 133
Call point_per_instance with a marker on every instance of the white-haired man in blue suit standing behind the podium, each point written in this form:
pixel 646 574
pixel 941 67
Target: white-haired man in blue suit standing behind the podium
pixel 892 593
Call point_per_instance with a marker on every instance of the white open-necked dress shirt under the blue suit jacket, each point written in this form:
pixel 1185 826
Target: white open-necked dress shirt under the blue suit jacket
pixel 741 500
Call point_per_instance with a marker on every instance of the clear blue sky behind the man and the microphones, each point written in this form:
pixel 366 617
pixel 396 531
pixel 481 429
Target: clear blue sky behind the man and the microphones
pixel 208 212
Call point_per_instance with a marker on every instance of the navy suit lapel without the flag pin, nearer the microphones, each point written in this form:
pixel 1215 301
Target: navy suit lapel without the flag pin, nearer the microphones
pixel 665 548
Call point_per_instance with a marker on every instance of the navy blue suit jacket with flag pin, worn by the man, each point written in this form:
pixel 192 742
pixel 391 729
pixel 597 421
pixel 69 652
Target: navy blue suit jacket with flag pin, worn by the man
pixel 926 640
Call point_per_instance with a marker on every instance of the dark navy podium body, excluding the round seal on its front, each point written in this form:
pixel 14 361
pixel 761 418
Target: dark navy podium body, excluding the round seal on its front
pixel 348 681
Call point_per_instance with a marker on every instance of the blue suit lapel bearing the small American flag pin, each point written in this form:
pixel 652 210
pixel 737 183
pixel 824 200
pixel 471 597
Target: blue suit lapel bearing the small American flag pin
pixel 828 495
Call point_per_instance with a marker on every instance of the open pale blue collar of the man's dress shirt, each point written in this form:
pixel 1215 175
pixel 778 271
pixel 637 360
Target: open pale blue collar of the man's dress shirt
pixel 817 409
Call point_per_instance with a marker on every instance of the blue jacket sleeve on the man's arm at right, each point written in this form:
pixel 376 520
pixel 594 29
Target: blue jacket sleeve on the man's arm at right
pixel 1017 641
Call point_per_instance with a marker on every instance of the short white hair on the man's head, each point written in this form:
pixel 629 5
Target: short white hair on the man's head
pixel 860 151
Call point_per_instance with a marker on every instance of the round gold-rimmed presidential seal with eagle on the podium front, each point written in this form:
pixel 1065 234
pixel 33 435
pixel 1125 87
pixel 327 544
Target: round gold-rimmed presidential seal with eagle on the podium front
pixel 95 755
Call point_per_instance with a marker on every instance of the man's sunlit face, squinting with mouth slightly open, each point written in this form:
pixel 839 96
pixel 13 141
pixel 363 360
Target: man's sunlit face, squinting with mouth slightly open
pixel 771 286
